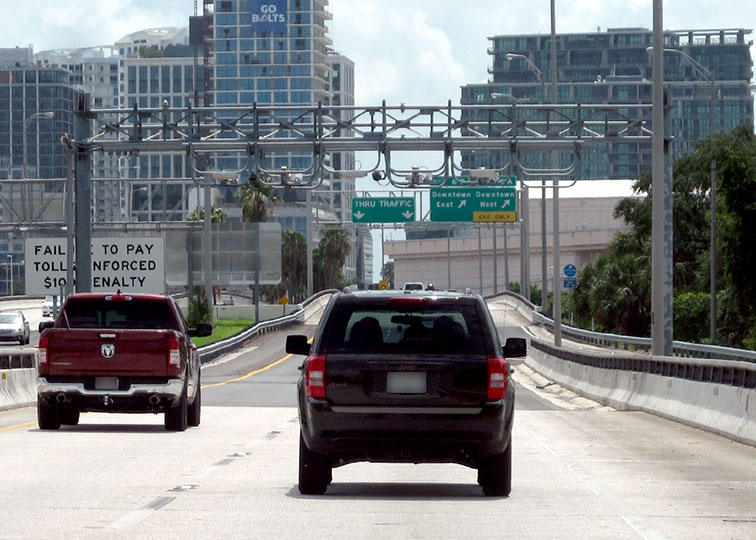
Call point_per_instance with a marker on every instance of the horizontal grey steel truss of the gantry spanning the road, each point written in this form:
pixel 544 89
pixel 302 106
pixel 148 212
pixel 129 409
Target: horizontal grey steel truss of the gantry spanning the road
pixel 255 132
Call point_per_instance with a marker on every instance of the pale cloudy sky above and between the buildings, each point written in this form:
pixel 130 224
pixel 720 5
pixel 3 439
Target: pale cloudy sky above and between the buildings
pixel 405 51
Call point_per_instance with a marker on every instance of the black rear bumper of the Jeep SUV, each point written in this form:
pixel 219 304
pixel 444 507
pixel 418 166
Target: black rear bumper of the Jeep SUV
pixel 406 434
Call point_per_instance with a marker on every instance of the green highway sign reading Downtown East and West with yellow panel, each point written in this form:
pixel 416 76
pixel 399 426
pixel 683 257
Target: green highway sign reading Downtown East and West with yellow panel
pixel 478 204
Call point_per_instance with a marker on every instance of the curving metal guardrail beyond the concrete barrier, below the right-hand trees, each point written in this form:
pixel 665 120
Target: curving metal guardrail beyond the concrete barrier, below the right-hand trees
pixel 631 343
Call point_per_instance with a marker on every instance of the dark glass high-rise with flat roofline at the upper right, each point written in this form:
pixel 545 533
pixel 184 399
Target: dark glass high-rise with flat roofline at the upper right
pixel 615 67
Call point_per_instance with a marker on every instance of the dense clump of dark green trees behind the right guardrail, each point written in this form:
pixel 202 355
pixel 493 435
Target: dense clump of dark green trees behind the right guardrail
pixel 615 289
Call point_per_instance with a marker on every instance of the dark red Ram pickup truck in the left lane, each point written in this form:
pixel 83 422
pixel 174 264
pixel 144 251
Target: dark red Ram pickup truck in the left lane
pixel 120 353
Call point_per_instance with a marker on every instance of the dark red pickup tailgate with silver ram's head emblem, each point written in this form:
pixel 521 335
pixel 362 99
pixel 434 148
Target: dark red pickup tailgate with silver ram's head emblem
pixel 109 352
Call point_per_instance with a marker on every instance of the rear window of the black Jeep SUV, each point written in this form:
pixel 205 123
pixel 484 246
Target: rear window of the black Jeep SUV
pixel 432 327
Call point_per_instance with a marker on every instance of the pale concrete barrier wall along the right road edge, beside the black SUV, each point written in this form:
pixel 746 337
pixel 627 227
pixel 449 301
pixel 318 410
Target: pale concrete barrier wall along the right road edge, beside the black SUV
pixel 724 409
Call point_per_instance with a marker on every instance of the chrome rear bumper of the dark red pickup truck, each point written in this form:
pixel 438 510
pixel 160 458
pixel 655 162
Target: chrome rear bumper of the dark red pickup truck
pixel 137 398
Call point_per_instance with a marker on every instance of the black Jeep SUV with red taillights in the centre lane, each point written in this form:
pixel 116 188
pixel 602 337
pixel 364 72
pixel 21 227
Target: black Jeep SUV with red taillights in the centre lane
pixel 393 377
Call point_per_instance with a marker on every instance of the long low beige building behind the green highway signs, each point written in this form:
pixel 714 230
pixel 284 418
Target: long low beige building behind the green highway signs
pixel 587 226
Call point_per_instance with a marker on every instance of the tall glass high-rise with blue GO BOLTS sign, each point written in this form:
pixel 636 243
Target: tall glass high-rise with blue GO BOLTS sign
pixel 283 57
